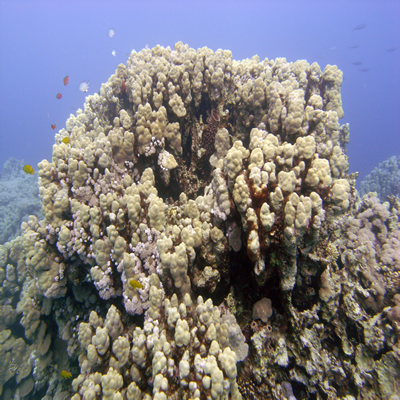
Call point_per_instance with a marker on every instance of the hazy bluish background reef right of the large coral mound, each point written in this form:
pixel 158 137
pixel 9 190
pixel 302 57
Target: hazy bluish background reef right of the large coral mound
pixel 384 179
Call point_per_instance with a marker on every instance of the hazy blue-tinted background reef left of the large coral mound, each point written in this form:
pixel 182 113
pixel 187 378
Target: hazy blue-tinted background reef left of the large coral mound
pixel 19 198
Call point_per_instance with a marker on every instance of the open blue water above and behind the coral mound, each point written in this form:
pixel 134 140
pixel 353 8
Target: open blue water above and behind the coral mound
pixel 42 41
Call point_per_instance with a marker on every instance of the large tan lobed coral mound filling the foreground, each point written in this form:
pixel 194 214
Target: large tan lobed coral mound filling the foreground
pixel 202 239
